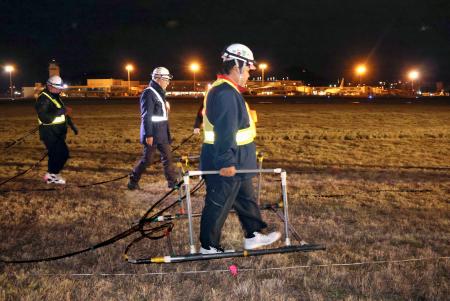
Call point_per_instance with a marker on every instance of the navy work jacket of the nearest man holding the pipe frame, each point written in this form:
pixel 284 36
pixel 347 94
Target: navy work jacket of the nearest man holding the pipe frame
pixel 226 110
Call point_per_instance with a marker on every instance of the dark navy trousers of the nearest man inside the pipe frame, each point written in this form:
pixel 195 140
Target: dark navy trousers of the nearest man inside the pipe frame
pixel 222 194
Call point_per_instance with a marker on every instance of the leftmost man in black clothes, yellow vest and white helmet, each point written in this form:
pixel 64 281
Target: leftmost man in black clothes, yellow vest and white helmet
pixel 53 117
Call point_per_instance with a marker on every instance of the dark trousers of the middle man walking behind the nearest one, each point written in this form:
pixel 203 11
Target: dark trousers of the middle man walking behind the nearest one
pixel 166 158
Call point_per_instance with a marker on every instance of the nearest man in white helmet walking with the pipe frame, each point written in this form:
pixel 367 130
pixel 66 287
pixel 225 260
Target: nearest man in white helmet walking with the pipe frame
pixel 229 130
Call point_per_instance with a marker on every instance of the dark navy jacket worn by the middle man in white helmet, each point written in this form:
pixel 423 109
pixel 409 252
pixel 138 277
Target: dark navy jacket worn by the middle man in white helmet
pixel 150 106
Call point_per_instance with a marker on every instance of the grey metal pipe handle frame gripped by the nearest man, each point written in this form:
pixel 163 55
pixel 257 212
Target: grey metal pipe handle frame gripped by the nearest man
pixel 194 173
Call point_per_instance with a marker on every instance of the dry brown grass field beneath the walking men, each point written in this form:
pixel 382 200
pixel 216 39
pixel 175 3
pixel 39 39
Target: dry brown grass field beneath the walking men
pixel 371 182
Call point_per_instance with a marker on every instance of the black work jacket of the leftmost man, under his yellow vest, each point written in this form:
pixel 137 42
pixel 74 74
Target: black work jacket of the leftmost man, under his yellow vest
pixel 47 112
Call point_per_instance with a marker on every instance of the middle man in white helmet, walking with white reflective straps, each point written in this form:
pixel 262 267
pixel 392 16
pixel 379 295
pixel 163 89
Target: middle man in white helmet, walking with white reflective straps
pixel 155 132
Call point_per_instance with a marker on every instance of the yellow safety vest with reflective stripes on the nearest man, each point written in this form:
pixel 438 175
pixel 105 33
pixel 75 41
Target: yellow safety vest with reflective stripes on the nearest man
pixel 243 136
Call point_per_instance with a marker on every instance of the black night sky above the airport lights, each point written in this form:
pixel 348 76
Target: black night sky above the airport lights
pixel 314 40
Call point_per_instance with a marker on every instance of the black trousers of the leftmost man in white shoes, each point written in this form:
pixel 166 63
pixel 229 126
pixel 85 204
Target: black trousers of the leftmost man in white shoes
pixel 58 153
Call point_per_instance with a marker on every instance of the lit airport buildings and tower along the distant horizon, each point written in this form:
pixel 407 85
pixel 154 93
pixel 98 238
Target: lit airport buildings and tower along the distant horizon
pixel 110 87
